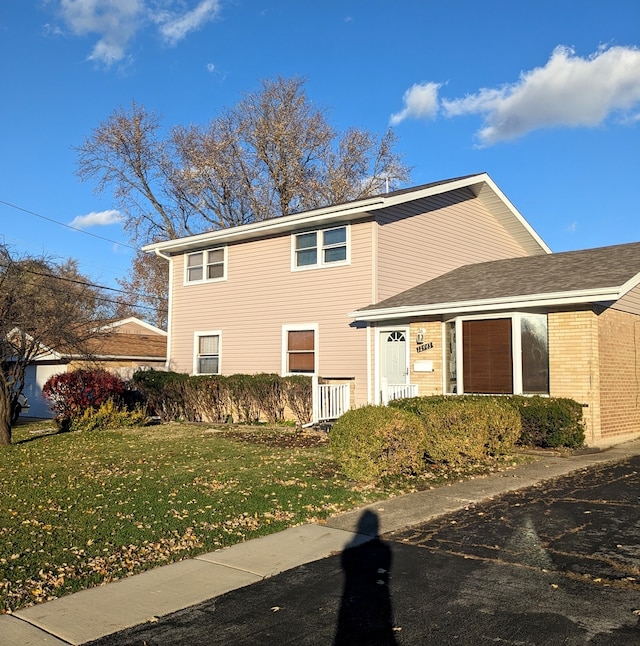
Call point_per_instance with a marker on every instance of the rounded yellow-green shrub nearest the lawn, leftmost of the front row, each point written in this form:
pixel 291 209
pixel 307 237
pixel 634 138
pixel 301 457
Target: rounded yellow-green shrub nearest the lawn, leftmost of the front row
pixel 374 441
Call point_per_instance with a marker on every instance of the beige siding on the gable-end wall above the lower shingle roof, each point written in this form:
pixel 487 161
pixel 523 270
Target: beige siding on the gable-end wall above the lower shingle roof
pixel 423 239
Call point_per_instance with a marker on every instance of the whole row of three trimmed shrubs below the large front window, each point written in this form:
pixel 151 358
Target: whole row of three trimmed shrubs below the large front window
pixel 374 441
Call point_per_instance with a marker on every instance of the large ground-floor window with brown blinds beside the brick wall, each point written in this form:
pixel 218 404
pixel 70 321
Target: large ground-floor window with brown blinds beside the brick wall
pixel 502 355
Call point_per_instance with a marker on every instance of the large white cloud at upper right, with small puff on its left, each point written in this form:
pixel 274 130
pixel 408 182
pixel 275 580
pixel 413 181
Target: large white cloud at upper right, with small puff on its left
pixel 569 91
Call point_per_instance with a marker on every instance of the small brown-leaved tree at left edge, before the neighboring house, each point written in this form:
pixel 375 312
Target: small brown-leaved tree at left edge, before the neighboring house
pixel 42 305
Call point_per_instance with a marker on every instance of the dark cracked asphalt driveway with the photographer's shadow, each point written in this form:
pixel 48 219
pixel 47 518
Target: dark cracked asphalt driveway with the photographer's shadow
pixel 557 563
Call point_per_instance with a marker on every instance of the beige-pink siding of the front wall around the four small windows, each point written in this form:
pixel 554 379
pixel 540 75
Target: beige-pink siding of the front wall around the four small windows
pixel 261 294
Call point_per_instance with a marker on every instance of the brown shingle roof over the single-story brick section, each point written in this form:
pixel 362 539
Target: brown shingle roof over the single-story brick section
pixel 570 271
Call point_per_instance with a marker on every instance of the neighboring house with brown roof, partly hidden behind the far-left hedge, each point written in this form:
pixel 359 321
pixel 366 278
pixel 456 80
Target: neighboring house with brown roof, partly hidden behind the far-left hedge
pixel 122 347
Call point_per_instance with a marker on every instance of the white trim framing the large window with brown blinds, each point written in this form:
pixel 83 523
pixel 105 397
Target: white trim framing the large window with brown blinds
pixel 516 346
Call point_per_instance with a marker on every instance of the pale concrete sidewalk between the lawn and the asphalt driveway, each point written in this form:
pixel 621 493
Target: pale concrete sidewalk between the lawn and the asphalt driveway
pixel 94 613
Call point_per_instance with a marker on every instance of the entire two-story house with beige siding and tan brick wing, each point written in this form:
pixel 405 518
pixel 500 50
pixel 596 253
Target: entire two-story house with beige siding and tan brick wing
pixel 462 286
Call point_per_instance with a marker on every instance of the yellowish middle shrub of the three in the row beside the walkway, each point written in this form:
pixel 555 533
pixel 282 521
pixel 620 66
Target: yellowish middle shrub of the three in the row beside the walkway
pixel 464 429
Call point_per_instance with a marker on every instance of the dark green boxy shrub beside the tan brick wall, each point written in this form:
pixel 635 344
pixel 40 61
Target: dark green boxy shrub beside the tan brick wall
pixel 550 422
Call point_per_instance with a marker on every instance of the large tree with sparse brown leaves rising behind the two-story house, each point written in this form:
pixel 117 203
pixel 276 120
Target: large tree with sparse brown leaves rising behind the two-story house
pixel 274 153
